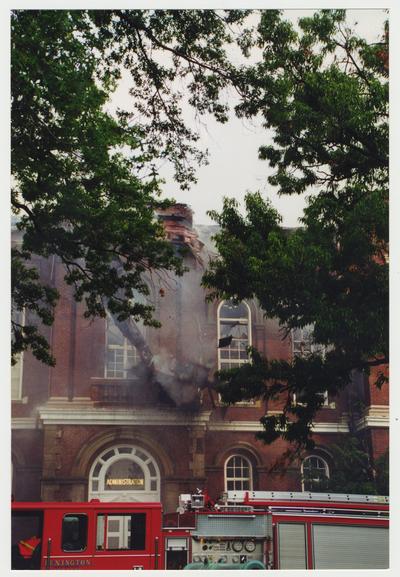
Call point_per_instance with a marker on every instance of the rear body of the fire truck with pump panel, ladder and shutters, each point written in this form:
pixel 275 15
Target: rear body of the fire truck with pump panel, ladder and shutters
pixel 295 530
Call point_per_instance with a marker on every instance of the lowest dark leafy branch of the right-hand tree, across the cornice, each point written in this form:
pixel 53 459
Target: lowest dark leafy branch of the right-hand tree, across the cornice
pixel 305 377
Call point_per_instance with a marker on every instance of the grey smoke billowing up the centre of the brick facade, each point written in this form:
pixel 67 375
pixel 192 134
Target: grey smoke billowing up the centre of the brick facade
pixel 181 358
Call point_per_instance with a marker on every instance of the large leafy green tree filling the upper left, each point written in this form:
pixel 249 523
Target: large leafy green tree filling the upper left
pixel 85 185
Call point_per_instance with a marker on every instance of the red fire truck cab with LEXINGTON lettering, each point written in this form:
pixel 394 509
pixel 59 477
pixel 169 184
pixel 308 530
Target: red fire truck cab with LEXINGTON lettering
pixel 94 535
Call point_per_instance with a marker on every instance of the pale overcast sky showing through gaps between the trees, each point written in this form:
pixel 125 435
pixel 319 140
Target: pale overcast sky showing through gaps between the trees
pixel 234 167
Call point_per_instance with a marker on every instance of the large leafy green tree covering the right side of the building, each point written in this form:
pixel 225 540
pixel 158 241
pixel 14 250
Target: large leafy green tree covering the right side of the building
pixel 324 92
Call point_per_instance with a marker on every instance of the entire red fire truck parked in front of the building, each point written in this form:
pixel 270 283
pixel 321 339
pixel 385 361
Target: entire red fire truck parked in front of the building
pixel 244 530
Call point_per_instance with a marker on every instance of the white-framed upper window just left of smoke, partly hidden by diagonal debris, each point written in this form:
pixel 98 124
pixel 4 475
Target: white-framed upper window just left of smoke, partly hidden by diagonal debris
pixel 121 355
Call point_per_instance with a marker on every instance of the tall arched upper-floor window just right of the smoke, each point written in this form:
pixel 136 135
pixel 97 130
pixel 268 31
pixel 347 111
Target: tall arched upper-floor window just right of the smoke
pixel 233 321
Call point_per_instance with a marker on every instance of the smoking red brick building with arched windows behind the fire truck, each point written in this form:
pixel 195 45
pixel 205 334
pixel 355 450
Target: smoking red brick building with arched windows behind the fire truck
pixel 99 424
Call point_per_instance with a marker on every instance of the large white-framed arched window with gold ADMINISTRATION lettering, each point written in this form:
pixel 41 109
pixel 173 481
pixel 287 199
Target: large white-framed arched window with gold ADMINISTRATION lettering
pixel 124 473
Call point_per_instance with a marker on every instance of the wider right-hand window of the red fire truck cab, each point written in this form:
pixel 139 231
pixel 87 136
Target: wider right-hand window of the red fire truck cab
pixel 127 531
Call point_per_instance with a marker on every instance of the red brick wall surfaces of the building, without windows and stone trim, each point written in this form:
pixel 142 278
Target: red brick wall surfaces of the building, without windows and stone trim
pixel 189 332
